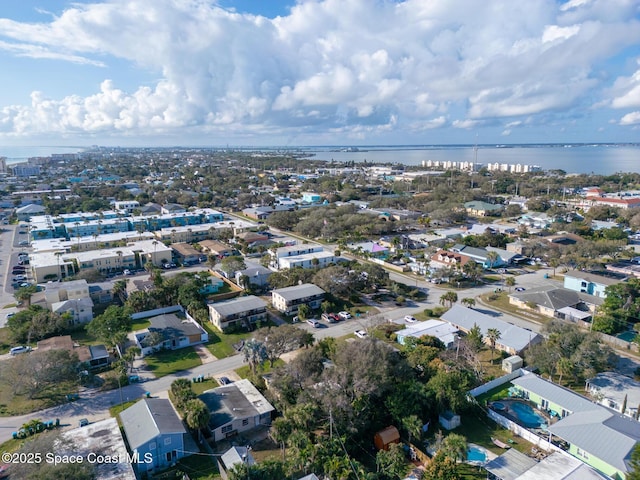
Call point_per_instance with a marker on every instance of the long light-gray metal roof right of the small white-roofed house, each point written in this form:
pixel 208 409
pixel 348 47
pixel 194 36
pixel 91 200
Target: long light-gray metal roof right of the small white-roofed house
pixel 513 339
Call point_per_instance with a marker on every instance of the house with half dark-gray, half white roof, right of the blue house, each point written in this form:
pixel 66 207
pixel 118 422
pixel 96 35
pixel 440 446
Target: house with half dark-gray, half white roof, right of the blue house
pixel 236 408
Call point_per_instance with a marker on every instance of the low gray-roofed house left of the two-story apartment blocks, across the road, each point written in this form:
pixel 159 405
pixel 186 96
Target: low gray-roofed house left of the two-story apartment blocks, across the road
pixel 174 333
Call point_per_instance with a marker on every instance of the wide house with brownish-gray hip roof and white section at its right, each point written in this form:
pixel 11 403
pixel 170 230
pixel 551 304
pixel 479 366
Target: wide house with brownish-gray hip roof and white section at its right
pixel 557 302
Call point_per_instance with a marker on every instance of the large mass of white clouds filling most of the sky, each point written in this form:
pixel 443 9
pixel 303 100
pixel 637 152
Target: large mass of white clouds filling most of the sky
pixel 348 66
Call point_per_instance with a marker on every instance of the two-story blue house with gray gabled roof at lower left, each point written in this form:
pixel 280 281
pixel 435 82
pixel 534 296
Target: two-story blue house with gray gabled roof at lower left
pixel 155 434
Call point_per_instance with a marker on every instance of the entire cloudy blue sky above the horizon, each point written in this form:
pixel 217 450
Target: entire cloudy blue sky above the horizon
pixel 318 72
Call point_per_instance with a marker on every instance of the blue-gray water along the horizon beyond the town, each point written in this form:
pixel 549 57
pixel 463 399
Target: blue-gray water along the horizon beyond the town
pixel 577 158
